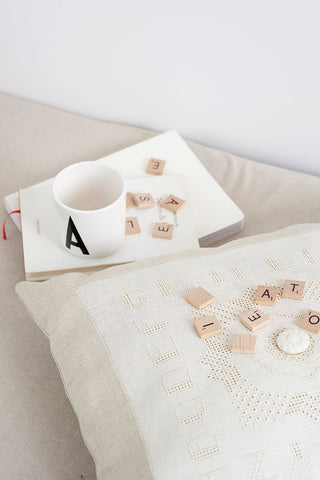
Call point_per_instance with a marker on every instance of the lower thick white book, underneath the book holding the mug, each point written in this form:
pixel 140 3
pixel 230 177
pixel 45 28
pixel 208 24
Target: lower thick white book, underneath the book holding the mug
pixel 216 216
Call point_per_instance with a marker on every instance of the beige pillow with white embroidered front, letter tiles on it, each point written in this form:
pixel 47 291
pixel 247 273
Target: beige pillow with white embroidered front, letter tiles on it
pixel 154 401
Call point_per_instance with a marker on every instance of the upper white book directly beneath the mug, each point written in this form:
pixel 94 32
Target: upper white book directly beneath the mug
pixel 45 256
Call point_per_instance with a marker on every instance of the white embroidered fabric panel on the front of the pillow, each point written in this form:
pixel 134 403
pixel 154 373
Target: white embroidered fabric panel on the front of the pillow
pixel 209 412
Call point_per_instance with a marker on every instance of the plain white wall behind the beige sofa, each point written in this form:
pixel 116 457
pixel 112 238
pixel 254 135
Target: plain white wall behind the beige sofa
pixel 240 75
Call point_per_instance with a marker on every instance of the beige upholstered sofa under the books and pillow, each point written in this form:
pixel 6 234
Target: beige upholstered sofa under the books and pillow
pixel 39 433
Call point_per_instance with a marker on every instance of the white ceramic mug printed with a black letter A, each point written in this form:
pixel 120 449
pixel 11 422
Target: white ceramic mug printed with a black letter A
pixel 90 201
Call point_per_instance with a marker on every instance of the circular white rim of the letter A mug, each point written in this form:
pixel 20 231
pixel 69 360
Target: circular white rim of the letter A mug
pixel 87 162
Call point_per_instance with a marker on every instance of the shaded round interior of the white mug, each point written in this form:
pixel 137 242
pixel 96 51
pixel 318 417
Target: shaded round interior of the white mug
pixel 88 186
